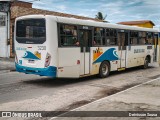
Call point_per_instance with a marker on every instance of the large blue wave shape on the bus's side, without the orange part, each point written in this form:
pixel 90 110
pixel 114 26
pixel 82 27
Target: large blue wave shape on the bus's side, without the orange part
pixel 109 55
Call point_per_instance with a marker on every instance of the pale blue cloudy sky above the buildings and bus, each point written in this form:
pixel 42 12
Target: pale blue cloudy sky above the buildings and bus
pixel 116 10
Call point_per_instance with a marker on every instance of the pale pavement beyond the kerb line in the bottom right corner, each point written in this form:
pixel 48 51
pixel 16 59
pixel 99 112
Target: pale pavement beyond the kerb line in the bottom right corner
pixel 140 102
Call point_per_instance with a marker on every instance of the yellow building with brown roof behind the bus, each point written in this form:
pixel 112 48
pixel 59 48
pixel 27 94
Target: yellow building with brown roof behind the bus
pixel 142 23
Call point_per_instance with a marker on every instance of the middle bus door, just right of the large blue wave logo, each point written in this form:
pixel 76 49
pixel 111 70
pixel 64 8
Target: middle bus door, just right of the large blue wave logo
pixel 122 42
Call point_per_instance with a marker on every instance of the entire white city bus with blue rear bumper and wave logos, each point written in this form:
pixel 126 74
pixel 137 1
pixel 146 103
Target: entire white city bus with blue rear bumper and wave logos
pixel 54 46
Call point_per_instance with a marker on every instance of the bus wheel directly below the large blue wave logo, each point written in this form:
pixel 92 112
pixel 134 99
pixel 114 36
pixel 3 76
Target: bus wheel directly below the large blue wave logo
pixel 104 69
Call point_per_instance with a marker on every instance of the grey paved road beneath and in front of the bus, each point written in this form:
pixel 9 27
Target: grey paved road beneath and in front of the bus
pixel 29 92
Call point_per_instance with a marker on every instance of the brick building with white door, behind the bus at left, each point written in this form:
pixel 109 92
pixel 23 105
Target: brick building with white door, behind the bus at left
pixel 9 11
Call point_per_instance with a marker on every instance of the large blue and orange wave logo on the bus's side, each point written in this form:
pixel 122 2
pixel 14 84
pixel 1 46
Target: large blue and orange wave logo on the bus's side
pixel 110 54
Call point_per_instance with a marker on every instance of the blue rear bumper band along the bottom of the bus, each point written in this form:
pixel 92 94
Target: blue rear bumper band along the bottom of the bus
pixel 49 71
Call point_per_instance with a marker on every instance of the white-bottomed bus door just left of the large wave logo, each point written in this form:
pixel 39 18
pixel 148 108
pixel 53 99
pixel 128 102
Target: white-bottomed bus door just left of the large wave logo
pixel 85 37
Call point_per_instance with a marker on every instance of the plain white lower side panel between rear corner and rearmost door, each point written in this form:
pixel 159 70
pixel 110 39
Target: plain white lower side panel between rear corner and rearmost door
pixel 68 65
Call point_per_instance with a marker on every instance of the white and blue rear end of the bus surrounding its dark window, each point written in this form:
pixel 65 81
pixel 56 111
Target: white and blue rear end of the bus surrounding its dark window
pixel 31 58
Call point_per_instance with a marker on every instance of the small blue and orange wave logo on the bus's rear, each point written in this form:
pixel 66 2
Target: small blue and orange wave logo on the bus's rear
pixel 35 56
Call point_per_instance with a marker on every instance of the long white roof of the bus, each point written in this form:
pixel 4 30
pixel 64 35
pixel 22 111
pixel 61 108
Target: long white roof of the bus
pixel 88 23
